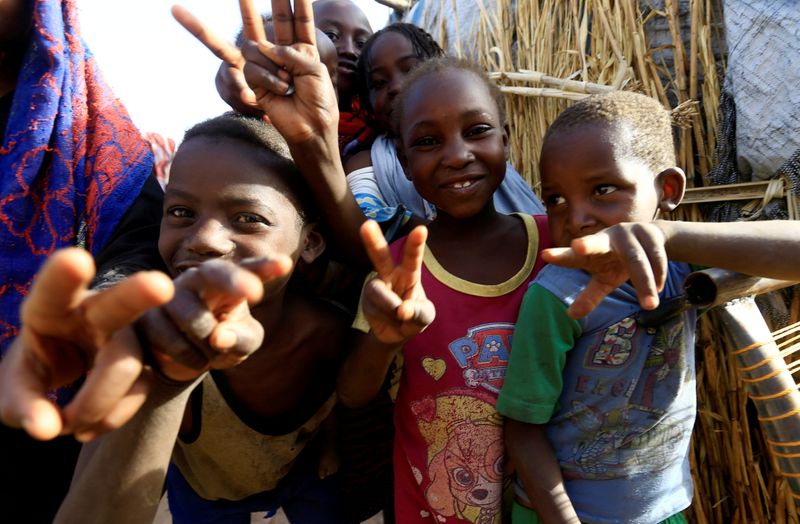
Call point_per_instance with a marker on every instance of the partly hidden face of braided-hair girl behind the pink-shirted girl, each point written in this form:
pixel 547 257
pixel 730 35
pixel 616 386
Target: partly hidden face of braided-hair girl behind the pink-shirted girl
pixel 391 58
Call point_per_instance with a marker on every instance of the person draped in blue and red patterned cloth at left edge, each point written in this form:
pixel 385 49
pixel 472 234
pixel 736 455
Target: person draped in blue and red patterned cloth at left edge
pixel 74 170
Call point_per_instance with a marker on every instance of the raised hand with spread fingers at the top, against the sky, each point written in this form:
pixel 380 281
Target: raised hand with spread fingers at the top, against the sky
pixel 288 81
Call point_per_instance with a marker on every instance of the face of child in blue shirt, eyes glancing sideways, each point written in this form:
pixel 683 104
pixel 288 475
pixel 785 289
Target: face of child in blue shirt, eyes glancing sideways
pixel 586 187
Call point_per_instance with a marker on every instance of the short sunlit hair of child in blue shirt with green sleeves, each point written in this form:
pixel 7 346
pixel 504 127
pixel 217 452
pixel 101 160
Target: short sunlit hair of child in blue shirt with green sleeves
pixel 642 127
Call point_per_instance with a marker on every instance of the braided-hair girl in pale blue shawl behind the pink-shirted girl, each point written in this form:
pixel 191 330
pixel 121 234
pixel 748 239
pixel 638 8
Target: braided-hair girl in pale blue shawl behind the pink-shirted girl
pixel 375 176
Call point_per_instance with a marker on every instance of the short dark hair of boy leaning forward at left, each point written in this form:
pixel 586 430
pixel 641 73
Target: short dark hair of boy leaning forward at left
pixel 268 142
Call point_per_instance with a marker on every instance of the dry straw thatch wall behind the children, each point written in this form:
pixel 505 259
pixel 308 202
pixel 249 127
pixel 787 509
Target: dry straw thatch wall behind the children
pixel 545 53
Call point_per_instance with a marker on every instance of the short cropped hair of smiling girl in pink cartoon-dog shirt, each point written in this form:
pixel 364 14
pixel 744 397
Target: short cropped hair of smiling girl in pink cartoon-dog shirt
pixel 437 66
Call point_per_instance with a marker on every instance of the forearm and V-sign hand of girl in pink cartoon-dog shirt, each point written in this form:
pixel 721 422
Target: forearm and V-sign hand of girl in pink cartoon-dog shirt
pixel 396 308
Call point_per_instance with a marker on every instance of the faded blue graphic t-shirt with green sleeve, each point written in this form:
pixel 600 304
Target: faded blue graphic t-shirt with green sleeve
pixel 623 407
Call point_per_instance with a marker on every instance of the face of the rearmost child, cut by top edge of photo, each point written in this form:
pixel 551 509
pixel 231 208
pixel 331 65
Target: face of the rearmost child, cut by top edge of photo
pixel 348 28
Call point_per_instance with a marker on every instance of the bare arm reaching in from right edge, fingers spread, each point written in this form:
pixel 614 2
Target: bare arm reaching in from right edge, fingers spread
pixel 639 252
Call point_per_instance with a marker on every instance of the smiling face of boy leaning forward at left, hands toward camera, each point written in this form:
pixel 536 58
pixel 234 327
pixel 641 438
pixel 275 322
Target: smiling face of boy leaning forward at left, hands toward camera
pixel 224 200
